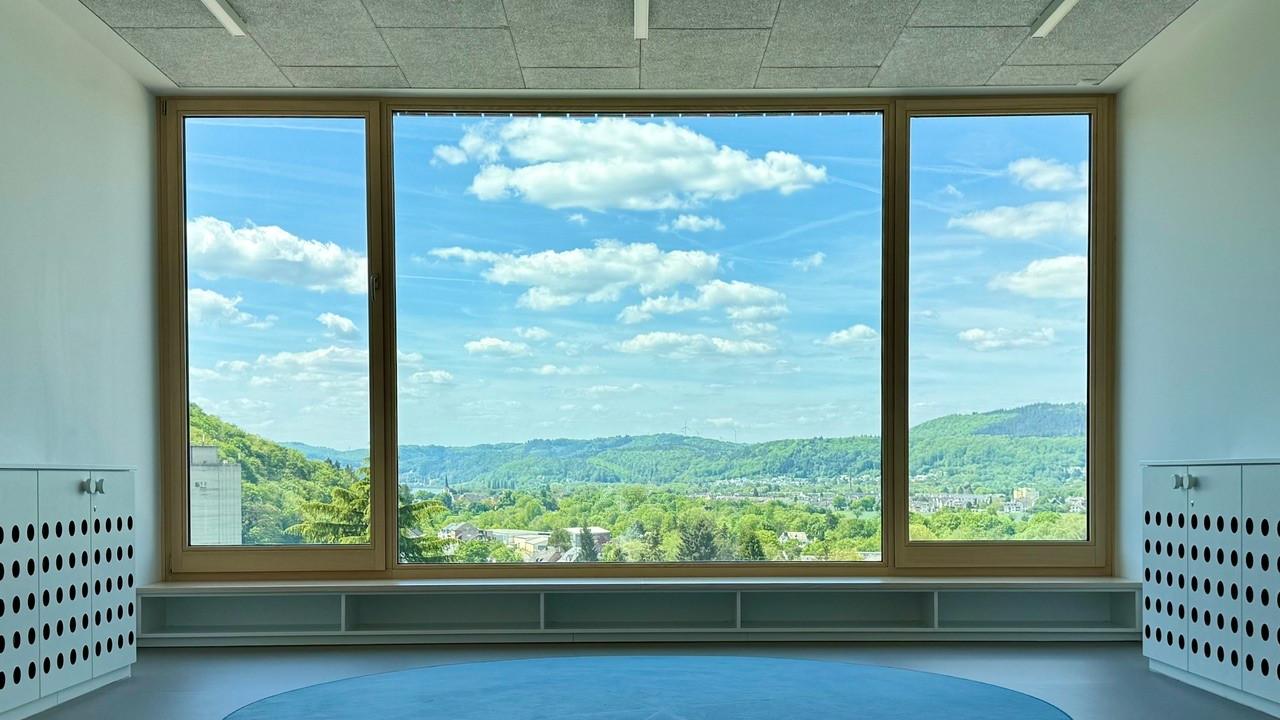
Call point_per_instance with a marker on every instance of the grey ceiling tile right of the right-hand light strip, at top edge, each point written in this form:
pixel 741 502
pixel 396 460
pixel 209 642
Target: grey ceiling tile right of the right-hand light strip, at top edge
pixel 1100 33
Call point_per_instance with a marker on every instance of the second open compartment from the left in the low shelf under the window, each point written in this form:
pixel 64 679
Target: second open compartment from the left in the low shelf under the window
pixel 444 612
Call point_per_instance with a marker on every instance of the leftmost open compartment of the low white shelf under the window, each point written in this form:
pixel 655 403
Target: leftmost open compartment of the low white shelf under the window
pixel 241 614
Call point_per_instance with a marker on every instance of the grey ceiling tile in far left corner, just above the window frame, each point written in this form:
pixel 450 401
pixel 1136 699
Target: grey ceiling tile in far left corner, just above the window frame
pixel 205 57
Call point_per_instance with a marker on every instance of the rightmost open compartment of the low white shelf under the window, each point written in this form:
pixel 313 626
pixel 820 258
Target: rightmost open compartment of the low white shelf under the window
pixel 1041 612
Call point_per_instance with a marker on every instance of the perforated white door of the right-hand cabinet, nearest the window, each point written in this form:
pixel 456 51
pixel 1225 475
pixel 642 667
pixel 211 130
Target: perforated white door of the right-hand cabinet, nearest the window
pixel 1164 567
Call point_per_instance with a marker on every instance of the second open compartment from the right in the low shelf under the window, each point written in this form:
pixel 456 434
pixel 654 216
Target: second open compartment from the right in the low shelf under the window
pixel 885 610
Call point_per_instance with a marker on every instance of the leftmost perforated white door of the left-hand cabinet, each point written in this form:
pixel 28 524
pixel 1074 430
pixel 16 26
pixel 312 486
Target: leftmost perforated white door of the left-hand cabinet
pixel 20 590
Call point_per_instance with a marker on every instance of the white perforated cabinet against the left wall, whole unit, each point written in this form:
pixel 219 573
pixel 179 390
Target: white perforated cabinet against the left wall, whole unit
pixel 67 584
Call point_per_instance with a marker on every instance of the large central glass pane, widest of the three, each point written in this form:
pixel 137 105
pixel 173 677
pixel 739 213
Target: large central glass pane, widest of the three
pixel 639 340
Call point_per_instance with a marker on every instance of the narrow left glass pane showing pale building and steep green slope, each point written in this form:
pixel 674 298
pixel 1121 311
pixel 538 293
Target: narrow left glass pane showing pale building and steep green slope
pixel 277 331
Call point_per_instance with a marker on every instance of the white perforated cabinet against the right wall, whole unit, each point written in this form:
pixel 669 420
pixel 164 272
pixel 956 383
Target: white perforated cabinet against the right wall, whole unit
pixel 1212 577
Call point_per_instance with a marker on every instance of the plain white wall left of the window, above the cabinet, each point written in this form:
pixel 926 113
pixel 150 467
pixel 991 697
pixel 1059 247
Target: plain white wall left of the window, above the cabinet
pixel 77 259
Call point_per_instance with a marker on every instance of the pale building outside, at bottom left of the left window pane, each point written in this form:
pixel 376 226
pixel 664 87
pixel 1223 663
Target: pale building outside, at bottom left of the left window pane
pixel 216 499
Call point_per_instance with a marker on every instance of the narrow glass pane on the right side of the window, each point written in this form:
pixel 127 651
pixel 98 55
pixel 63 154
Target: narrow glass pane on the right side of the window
pixel 999 329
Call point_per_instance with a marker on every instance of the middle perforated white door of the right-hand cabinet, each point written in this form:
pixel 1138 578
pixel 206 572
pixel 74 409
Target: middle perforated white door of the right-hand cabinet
pixel 1215 599
